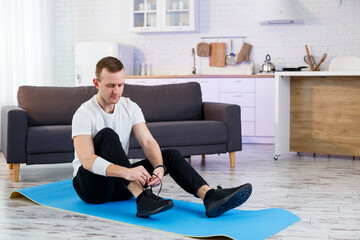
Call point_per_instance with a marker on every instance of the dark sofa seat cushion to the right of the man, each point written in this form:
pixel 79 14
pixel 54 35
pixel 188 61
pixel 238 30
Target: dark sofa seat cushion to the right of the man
pixel 186 133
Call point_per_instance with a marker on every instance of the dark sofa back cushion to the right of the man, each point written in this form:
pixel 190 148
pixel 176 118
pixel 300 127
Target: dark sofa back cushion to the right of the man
pixel 171 102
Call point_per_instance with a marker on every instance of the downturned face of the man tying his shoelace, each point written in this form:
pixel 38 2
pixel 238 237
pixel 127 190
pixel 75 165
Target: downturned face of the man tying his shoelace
pixel 110 85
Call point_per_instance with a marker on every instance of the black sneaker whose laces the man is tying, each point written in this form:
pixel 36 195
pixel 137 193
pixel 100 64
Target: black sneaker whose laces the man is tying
pixel 150 204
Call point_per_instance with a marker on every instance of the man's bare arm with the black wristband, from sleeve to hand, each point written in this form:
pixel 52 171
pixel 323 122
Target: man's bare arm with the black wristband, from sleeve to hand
pixel 151 149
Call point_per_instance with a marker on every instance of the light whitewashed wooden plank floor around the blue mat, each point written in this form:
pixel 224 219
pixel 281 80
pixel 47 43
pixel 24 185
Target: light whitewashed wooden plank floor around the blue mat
pixel 323 191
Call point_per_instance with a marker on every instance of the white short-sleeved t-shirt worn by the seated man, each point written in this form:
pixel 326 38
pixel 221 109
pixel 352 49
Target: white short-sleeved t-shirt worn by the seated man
pixel 90 118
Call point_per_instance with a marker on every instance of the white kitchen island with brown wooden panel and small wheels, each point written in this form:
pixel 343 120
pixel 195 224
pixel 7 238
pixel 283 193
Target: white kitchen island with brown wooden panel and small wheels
pixel 317 112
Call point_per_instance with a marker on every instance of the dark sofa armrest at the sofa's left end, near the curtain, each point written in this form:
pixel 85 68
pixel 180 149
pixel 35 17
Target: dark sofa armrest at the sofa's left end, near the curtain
pixel 14 131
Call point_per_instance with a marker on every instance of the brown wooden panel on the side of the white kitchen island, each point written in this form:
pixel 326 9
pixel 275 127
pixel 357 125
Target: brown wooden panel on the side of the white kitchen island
pixel 325 114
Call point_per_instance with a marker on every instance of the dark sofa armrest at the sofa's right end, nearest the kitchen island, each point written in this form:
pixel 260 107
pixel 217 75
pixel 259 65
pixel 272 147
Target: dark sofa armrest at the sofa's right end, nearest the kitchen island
pixel 230 115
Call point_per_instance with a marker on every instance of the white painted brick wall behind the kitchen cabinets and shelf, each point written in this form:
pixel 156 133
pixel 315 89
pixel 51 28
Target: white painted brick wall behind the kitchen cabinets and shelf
pixel 331 26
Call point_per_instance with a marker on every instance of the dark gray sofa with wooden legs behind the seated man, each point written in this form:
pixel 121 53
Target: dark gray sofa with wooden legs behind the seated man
pixel 38 130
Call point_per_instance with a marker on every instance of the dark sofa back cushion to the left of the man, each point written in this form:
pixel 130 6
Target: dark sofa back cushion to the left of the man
pixel 52 105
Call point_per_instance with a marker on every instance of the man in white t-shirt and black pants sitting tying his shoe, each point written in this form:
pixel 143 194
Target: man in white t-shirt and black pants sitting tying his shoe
pixel 101 130
